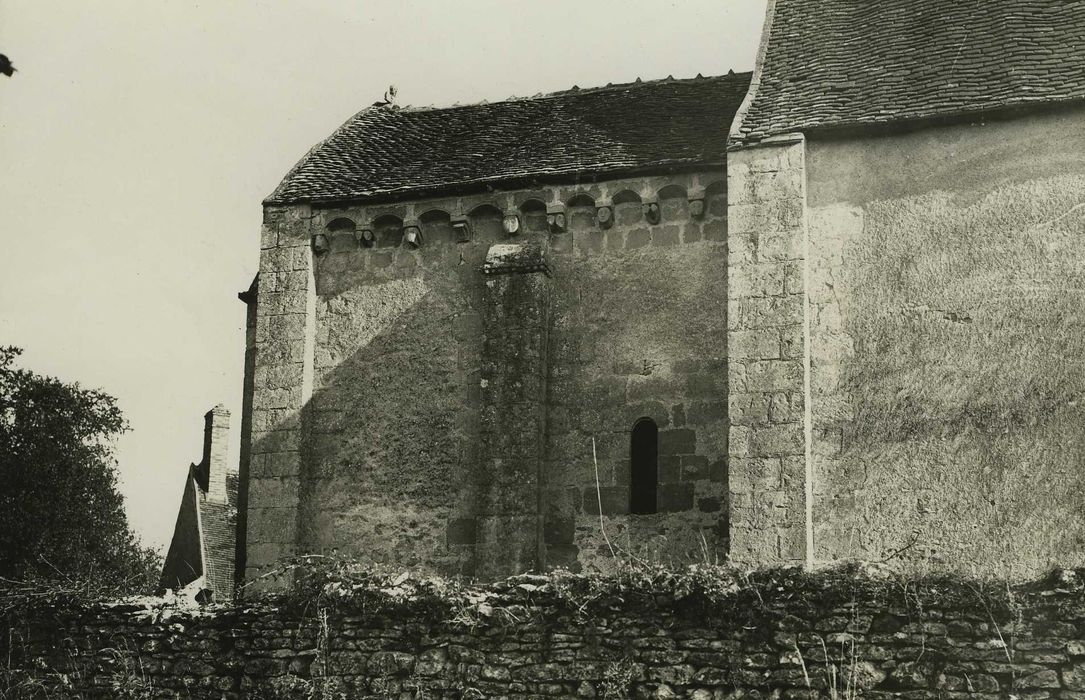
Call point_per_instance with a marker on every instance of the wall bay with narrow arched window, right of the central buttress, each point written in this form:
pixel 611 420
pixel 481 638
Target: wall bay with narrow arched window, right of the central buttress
pixel 641 333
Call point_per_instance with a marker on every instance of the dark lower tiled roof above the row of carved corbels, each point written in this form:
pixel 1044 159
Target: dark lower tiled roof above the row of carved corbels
pixel 388 152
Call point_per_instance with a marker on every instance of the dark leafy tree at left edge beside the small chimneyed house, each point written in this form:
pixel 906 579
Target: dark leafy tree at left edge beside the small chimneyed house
pixel 62 518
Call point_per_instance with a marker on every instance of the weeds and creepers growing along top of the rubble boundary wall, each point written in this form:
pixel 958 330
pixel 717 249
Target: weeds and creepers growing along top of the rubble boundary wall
pixel 352 589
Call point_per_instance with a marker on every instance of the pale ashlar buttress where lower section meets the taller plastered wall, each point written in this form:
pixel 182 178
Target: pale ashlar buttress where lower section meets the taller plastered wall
pixel 767 310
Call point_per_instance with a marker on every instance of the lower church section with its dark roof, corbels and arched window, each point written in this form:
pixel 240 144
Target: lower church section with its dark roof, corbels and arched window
pixel 464 314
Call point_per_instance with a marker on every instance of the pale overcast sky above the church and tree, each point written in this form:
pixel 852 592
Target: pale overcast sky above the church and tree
pixel 139 137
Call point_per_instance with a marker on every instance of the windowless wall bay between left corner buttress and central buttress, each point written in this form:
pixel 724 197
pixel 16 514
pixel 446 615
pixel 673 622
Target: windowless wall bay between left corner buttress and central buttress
pixel 391 431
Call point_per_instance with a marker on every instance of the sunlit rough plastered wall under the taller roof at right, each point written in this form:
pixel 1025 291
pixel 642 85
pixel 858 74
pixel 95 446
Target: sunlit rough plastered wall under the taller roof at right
pixel 947 278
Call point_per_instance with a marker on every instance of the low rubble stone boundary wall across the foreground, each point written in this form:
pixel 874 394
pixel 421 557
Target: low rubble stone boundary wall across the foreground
pixel 778 638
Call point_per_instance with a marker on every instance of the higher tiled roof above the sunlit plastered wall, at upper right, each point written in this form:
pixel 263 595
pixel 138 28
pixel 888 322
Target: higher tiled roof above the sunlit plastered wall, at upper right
pixel 845 63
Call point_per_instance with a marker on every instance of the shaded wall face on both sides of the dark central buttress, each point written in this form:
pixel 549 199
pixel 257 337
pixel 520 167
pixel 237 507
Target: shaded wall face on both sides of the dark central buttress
pixel 390 466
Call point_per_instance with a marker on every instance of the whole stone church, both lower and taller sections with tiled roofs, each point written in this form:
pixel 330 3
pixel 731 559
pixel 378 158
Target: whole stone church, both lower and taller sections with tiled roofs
pixel 827 311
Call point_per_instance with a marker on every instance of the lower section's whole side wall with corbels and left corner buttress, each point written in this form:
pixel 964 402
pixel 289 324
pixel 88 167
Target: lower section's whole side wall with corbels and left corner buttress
pixel 369 405
